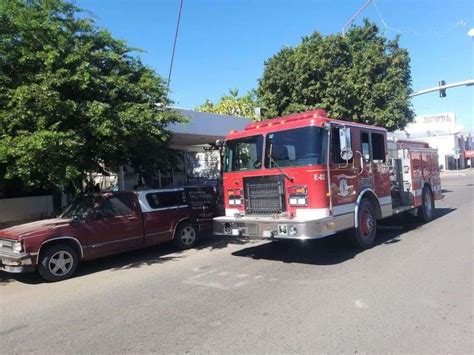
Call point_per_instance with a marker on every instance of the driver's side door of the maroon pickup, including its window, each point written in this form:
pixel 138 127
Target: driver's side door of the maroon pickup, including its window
pixel 117 226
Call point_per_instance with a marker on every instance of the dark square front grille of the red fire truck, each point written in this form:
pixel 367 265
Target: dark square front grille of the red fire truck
pixel 264 194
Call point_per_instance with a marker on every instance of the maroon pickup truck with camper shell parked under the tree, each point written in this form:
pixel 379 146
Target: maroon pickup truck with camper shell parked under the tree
pixel 96 225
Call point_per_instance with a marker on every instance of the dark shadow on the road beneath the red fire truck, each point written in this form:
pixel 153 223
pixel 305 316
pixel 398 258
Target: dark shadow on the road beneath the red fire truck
pixel 335 249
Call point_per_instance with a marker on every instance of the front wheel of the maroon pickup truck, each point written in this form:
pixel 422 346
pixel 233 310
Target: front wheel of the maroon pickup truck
pixel 57 262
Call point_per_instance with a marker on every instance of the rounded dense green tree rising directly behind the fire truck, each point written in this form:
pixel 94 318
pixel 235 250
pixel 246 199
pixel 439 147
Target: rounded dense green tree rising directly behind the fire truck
pixel 362 76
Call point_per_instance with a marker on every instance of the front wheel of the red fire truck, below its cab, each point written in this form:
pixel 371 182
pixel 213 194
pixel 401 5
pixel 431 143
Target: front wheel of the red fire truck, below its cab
pixel 364 234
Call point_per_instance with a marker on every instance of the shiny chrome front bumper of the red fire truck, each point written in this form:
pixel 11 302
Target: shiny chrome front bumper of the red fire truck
pixel 274 228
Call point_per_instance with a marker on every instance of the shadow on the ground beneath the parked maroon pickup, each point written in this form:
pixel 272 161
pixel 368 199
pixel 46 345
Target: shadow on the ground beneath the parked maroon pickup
pixel 128 260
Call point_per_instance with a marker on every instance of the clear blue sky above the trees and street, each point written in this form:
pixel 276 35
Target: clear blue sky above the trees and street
pixel 223 44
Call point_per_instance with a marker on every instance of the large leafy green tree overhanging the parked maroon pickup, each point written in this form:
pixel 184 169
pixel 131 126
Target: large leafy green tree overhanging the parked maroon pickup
pixel 72 97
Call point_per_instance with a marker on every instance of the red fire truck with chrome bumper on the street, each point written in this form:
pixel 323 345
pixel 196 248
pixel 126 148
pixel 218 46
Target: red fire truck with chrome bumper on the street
pixel 307 176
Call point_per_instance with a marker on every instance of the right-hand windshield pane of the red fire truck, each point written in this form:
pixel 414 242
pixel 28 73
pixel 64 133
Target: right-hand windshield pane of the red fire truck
pixel 296 147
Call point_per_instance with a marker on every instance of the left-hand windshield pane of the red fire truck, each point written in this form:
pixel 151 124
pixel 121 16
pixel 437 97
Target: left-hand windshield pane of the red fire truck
pixel 243 154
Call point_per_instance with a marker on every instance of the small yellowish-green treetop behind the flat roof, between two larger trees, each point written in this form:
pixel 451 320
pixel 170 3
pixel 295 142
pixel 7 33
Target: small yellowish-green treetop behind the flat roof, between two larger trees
pixel 233 105
